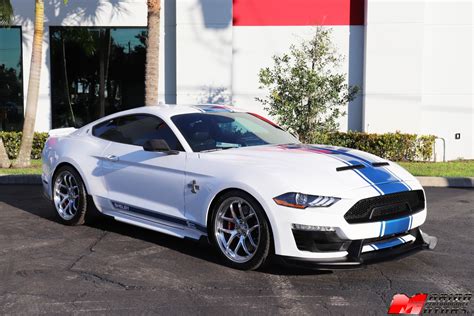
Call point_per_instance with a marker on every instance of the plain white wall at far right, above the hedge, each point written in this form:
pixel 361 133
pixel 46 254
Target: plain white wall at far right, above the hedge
pixel 419 68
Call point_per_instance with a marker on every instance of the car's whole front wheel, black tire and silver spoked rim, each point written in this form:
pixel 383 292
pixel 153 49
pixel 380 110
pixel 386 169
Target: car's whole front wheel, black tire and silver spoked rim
pixel 240 231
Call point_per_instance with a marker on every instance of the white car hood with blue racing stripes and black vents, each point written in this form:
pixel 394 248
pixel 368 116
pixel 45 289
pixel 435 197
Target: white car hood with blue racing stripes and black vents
pixel 311 166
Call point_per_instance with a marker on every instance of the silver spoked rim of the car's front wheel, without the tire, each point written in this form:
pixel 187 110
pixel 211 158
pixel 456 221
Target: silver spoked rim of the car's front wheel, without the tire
pixel 237 229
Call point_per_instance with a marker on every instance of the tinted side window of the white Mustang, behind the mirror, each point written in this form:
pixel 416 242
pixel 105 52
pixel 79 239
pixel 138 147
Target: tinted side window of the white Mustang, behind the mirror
pixel 136 130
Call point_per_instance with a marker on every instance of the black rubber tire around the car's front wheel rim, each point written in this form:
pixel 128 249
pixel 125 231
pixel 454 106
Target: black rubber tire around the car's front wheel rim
pixel 262 251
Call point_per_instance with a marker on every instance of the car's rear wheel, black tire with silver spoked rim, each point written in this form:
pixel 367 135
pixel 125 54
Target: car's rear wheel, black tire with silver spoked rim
pixel 79 208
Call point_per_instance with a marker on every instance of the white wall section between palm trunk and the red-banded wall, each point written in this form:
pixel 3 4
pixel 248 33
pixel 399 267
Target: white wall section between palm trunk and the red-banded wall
pixel 204 51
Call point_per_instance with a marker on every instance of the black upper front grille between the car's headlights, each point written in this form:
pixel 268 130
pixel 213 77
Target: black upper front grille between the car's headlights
pixel 386 207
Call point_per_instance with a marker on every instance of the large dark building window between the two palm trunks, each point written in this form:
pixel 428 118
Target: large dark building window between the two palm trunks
pixel 95 72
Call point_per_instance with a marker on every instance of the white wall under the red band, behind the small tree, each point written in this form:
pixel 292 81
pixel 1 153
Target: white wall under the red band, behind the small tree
pixel 254 47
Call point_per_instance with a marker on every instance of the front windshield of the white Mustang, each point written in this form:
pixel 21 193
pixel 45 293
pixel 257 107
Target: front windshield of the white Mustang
pixel 223 130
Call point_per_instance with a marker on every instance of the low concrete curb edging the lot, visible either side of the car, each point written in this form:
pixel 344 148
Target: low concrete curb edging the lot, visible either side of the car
pixel 442 182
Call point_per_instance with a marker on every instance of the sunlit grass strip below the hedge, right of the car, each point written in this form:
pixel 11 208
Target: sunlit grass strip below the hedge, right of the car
pixel 459 168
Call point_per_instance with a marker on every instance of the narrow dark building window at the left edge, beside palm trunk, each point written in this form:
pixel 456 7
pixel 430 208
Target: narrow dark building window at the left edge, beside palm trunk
pixel 11 79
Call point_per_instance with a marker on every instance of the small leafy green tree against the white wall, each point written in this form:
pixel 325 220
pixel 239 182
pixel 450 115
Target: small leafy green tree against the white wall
pixel 306 93
